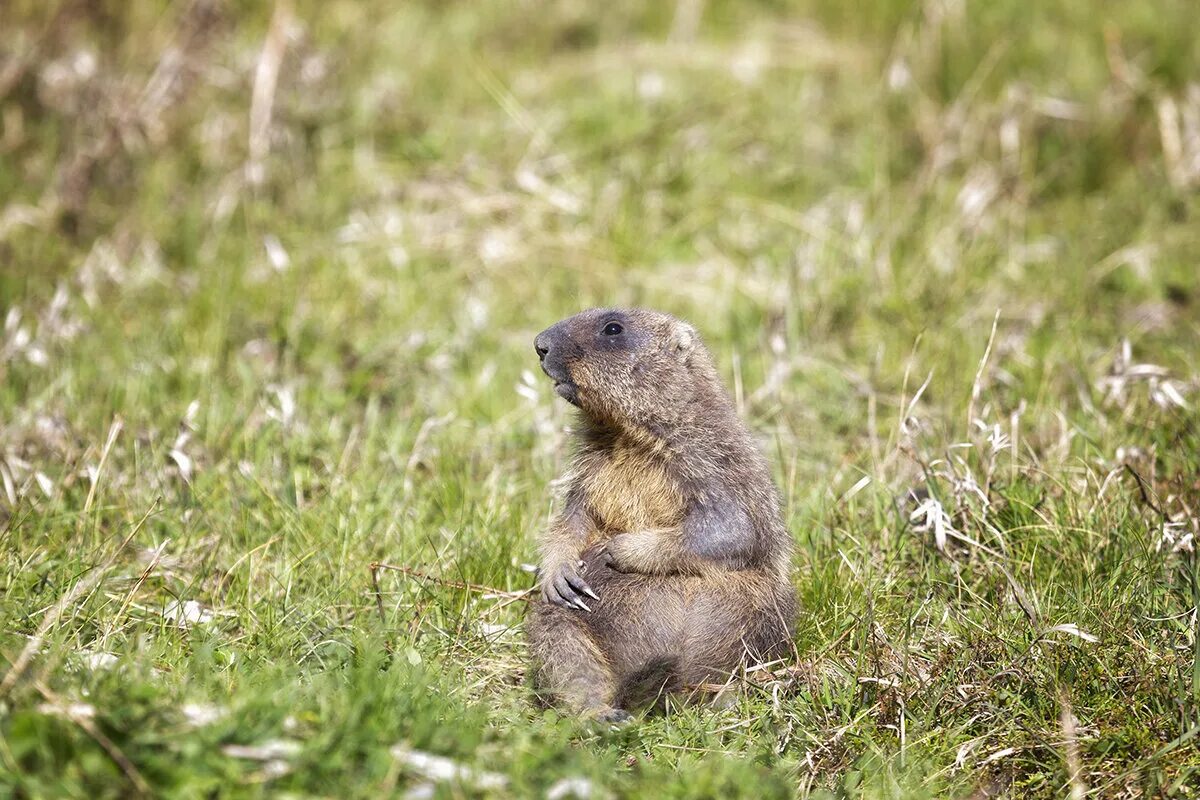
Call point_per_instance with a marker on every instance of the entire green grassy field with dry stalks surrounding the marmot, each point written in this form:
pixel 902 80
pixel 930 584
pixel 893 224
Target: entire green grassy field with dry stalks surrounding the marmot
pixel 269 281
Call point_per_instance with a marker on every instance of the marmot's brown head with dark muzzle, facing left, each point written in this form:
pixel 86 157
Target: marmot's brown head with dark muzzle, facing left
pixel 626 366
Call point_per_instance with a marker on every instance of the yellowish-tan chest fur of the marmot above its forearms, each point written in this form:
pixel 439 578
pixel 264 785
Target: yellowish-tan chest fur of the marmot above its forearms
pixel 628 490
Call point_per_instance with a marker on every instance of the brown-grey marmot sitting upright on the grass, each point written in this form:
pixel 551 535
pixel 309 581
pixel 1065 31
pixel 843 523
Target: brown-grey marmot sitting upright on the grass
pixel 670 563
